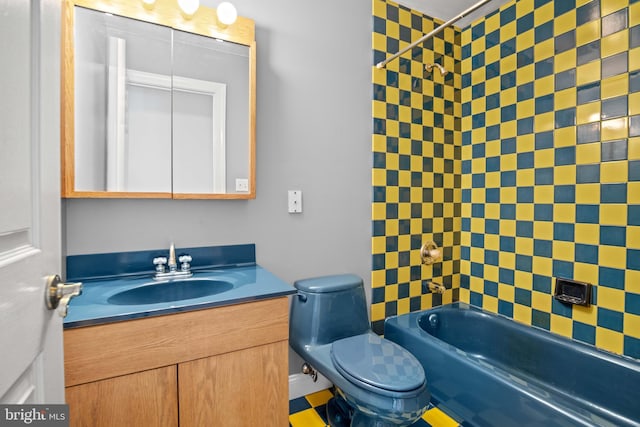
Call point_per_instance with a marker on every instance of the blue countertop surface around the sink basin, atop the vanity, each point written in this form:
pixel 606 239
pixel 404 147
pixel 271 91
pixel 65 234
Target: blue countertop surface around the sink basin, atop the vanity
pixel 250 283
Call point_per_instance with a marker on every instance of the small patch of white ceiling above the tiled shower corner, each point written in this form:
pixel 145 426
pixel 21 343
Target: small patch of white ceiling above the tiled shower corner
pixel 447 9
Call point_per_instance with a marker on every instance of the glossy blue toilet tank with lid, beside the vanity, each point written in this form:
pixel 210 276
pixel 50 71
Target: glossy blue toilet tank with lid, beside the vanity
pixel 327 309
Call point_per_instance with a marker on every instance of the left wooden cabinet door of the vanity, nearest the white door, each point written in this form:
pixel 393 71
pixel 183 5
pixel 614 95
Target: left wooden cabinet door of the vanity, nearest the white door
pixel 147 398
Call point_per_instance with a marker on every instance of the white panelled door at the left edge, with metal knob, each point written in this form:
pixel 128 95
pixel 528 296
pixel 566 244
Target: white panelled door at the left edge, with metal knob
pixel 31 364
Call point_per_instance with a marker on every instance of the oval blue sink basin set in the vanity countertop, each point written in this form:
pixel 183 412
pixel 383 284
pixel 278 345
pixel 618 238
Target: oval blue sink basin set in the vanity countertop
pixel 176 290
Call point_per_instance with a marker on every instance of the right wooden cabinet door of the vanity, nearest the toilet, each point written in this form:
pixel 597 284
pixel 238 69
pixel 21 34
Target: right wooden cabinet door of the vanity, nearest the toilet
pixel 245 388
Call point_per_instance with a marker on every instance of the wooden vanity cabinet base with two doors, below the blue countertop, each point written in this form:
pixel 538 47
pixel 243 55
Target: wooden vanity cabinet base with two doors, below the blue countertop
pixel 225 366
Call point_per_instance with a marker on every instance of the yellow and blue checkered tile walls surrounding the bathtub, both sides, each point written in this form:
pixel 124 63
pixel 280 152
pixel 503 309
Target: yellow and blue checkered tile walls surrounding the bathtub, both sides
pixel 524 164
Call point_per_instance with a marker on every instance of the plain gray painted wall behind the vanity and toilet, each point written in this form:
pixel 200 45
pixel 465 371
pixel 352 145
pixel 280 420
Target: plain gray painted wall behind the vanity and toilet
pixel 313 134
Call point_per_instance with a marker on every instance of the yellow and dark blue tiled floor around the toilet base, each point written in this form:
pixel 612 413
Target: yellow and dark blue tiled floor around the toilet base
pixel 310 411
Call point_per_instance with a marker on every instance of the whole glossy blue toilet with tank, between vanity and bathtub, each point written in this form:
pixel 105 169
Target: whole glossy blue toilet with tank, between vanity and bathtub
pixel 378 383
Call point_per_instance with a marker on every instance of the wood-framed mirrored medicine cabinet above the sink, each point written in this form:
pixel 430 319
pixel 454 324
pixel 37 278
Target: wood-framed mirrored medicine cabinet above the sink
pixel 202 143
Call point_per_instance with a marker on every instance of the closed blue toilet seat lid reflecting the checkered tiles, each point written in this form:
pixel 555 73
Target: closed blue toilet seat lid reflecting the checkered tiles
pixel 377 364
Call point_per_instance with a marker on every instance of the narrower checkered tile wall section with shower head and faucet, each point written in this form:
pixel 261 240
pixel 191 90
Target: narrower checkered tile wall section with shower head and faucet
pixel 416 155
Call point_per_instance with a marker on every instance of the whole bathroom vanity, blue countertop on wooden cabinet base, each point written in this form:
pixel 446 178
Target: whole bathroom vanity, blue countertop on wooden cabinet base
pixel 218 359
